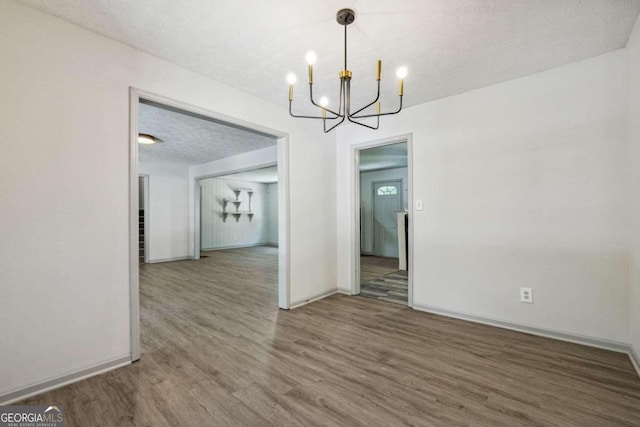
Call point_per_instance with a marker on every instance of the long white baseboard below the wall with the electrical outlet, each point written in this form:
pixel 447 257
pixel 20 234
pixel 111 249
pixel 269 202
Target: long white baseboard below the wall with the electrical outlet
pixel 616 346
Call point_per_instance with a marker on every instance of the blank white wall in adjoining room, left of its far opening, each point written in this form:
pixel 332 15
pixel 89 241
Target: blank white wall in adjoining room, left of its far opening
pixel 168 210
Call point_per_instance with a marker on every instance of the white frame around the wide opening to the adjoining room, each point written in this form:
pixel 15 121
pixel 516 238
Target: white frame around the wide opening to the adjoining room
pixel 284 260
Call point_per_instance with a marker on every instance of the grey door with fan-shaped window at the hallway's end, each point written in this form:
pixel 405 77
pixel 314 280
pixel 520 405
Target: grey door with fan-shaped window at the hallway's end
pixel 387 200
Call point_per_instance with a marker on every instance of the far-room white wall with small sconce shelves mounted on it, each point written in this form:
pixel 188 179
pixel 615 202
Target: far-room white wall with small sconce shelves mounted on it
pixel 220 232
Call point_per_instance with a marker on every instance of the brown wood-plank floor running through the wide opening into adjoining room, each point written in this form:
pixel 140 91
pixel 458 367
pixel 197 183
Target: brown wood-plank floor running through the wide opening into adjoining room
pixel 217 351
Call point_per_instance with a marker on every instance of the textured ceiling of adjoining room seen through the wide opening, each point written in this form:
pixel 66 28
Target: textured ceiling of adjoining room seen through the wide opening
pixel 185 138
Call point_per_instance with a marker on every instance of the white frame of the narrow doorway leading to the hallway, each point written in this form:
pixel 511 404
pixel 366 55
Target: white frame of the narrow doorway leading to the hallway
pixel 355 204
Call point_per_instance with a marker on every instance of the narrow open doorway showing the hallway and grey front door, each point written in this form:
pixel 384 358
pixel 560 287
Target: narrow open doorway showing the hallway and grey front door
pixel 383 179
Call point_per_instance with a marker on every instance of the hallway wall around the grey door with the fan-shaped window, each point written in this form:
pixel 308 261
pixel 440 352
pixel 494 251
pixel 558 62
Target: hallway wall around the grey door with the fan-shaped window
pixel 366 200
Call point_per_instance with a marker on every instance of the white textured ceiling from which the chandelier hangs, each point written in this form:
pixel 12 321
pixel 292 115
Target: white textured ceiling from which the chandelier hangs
pixel 449 46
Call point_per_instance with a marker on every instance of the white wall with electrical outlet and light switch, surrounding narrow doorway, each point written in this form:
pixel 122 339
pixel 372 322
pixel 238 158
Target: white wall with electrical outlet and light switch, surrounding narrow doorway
pixel 524 183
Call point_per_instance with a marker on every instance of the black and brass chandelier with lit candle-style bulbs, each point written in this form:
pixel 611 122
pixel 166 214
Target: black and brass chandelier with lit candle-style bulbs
pixel 344 18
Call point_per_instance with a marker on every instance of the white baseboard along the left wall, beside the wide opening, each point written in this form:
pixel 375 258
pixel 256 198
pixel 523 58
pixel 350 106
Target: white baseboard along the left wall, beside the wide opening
pixel 63 380
